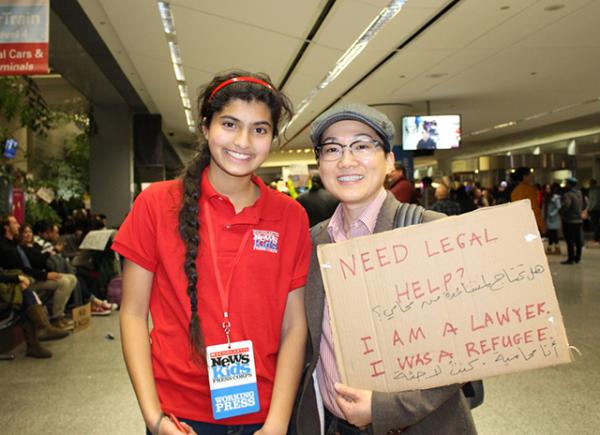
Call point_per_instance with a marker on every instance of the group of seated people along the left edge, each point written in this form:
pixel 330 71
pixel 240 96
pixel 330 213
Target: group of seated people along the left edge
pixel 42 276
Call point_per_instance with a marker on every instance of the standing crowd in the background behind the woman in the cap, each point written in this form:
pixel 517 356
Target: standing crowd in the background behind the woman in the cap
pixel 567 209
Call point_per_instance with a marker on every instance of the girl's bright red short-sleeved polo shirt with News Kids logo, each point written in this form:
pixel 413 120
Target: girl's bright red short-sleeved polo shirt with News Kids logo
pixel 273 262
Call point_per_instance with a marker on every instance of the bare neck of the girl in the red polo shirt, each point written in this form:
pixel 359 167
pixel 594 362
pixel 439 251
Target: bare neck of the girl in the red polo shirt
pixel 241 191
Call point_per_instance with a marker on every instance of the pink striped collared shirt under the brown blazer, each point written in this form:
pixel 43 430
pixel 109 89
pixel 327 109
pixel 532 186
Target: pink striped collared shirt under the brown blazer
pixel 327 372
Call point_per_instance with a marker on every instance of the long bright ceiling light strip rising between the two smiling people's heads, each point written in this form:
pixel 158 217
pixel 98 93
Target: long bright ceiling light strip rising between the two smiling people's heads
pixel 351 53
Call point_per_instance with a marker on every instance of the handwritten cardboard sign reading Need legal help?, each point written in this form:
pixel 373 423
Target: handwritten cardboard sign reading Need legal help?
pixel 454 300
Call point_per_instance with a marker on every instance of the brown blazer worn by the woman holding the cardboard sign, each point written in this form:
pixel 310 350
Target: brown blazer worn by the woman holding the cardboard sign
pixel 441 410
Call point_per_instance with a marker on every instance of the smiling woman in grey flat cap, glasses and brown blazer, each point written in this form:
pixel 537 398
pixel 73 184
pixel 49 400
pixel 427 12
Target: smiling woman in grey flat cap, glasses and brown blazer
pixel 353 149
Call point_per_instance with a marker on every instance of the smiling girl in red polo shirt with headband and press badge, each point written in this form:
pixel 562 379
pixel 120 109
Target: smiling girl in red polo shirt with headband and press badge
pixel 219 261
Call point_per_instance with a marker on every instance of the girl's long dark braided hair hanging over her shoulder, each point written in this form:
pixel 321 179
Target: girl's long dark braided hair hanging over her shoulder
pixel 189 223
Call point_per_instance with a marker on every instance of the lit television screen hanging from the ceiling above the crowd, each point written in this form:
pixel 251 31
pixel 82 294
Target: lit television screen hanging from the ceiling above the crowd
pixel 430 132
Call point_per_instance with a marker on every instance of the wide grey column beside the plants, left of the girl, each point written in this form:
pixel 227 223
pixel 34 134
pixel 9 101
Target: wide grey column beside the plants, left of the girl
pixel 111 162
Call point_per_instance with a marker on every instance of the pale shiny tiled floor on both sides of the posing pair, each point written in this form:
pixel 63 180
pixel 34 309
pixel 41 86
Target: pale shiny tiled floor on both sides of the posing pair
pixel 84 388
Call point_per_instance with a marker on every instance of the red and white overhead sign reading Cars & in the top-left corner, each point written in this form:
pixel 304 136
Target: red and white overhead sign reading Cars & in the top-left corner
pixel 24 37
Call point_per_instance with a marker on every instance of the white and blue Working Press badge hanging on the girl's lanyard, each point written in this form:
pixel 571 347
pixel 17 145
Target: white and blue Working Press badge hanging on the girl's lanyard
pixel 232 379
